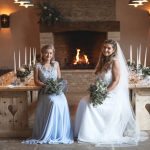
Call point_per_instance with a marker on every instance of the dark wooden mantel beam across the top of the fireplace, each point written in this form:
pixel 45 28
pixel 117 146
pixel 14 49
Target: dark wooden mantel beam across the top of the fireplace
pixel 98 26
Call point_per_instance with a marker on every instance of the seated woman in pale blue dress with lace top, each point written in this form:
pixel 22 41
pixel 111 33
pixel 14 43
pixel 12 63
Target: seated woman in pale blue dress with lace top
pixel 52 120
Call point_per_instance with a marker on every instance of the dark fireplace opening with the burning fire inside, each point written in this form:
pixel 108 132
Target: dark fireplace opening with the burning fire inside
pixel 78 49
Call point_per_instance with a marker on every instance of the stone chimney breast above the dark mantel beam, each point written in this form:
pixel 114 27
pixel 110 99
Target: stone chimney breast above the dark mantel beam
pixel 93 10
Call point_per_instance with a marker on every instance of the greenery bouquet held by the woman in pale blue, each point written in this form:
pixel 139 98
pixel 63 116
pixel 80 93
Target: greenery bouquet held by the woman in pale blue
pixel 55 86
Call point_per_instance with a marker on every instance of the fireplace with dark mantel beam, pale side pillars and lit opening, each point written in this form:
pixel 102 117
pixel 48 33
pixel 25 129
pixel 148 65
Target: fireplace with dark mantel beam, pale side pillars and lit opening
pixel 78 45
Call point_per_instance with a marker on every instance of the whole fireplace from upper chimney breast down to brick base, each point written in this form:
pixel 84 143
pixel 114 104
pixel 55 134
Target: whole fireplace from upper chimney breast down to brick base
pixel 87 25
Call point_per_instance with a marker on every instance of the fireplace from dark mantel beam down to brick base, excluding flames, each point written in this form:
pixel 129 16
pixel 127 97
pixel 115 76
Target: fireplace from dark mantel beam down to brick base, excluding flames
pixel 66 41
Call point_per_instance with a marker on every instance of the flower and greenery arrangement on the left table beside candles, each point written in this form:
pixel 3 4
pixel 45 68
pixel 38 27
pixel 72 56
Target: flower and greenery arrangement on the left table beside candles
pixel 23 72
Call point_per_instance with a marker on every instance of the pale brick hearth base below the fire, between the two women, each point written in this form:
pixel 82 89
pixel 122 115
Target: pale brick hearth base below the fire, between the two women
pixel 78 84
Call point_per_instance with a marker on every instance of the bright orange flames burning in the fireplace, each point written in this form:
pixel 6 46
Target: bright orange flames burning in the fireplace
pixel 81 59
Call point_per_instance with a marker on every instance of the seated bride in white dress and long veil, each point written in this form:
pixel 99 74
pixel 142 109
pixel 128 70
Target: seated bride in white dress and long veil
pixel 112 122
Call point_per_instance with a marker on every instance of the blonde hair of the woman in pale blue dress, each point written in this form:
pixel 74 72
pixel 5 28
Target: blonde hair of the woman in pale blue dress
pixel 44 49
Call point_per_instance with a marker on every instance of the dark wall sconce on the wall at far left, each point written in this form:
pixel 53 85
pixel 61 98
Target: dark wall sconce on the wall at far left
pixel 4 21
